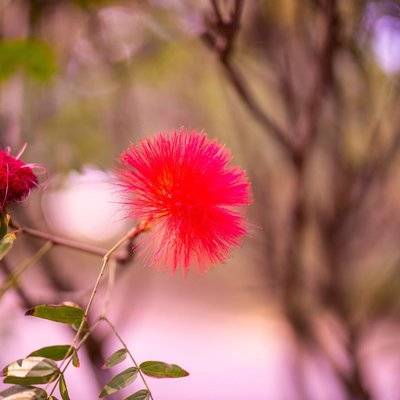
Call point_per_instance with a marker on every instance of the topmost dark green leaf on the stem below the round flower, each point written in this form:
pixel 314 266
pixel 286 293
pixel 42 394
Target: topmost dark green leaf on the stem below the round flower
pixel 66 314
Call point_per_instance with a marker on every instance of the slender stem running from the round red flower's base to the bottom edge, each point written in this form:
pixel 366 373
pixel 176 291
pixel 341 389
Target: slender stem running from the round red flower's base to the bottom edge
pixel 135 231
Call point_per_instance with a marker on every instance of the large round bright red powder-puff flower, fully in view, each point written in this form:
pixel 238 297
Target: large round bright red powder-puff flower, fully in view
pixel 182 183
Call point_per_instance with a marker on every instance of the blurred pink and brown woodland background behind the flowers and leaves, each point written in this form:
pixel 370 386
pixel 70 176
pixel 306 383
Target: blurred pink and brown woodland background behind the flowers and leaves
pixel 306 95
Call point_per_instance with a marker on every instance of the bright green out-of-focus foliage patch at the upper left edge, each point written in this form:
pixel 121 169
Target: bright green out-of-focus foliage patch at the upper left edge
pixel 34 57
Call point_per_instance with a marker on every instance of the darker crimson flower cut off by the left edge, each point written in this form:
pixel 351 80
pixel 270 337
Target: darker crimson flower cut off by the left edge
pixel 16 179
